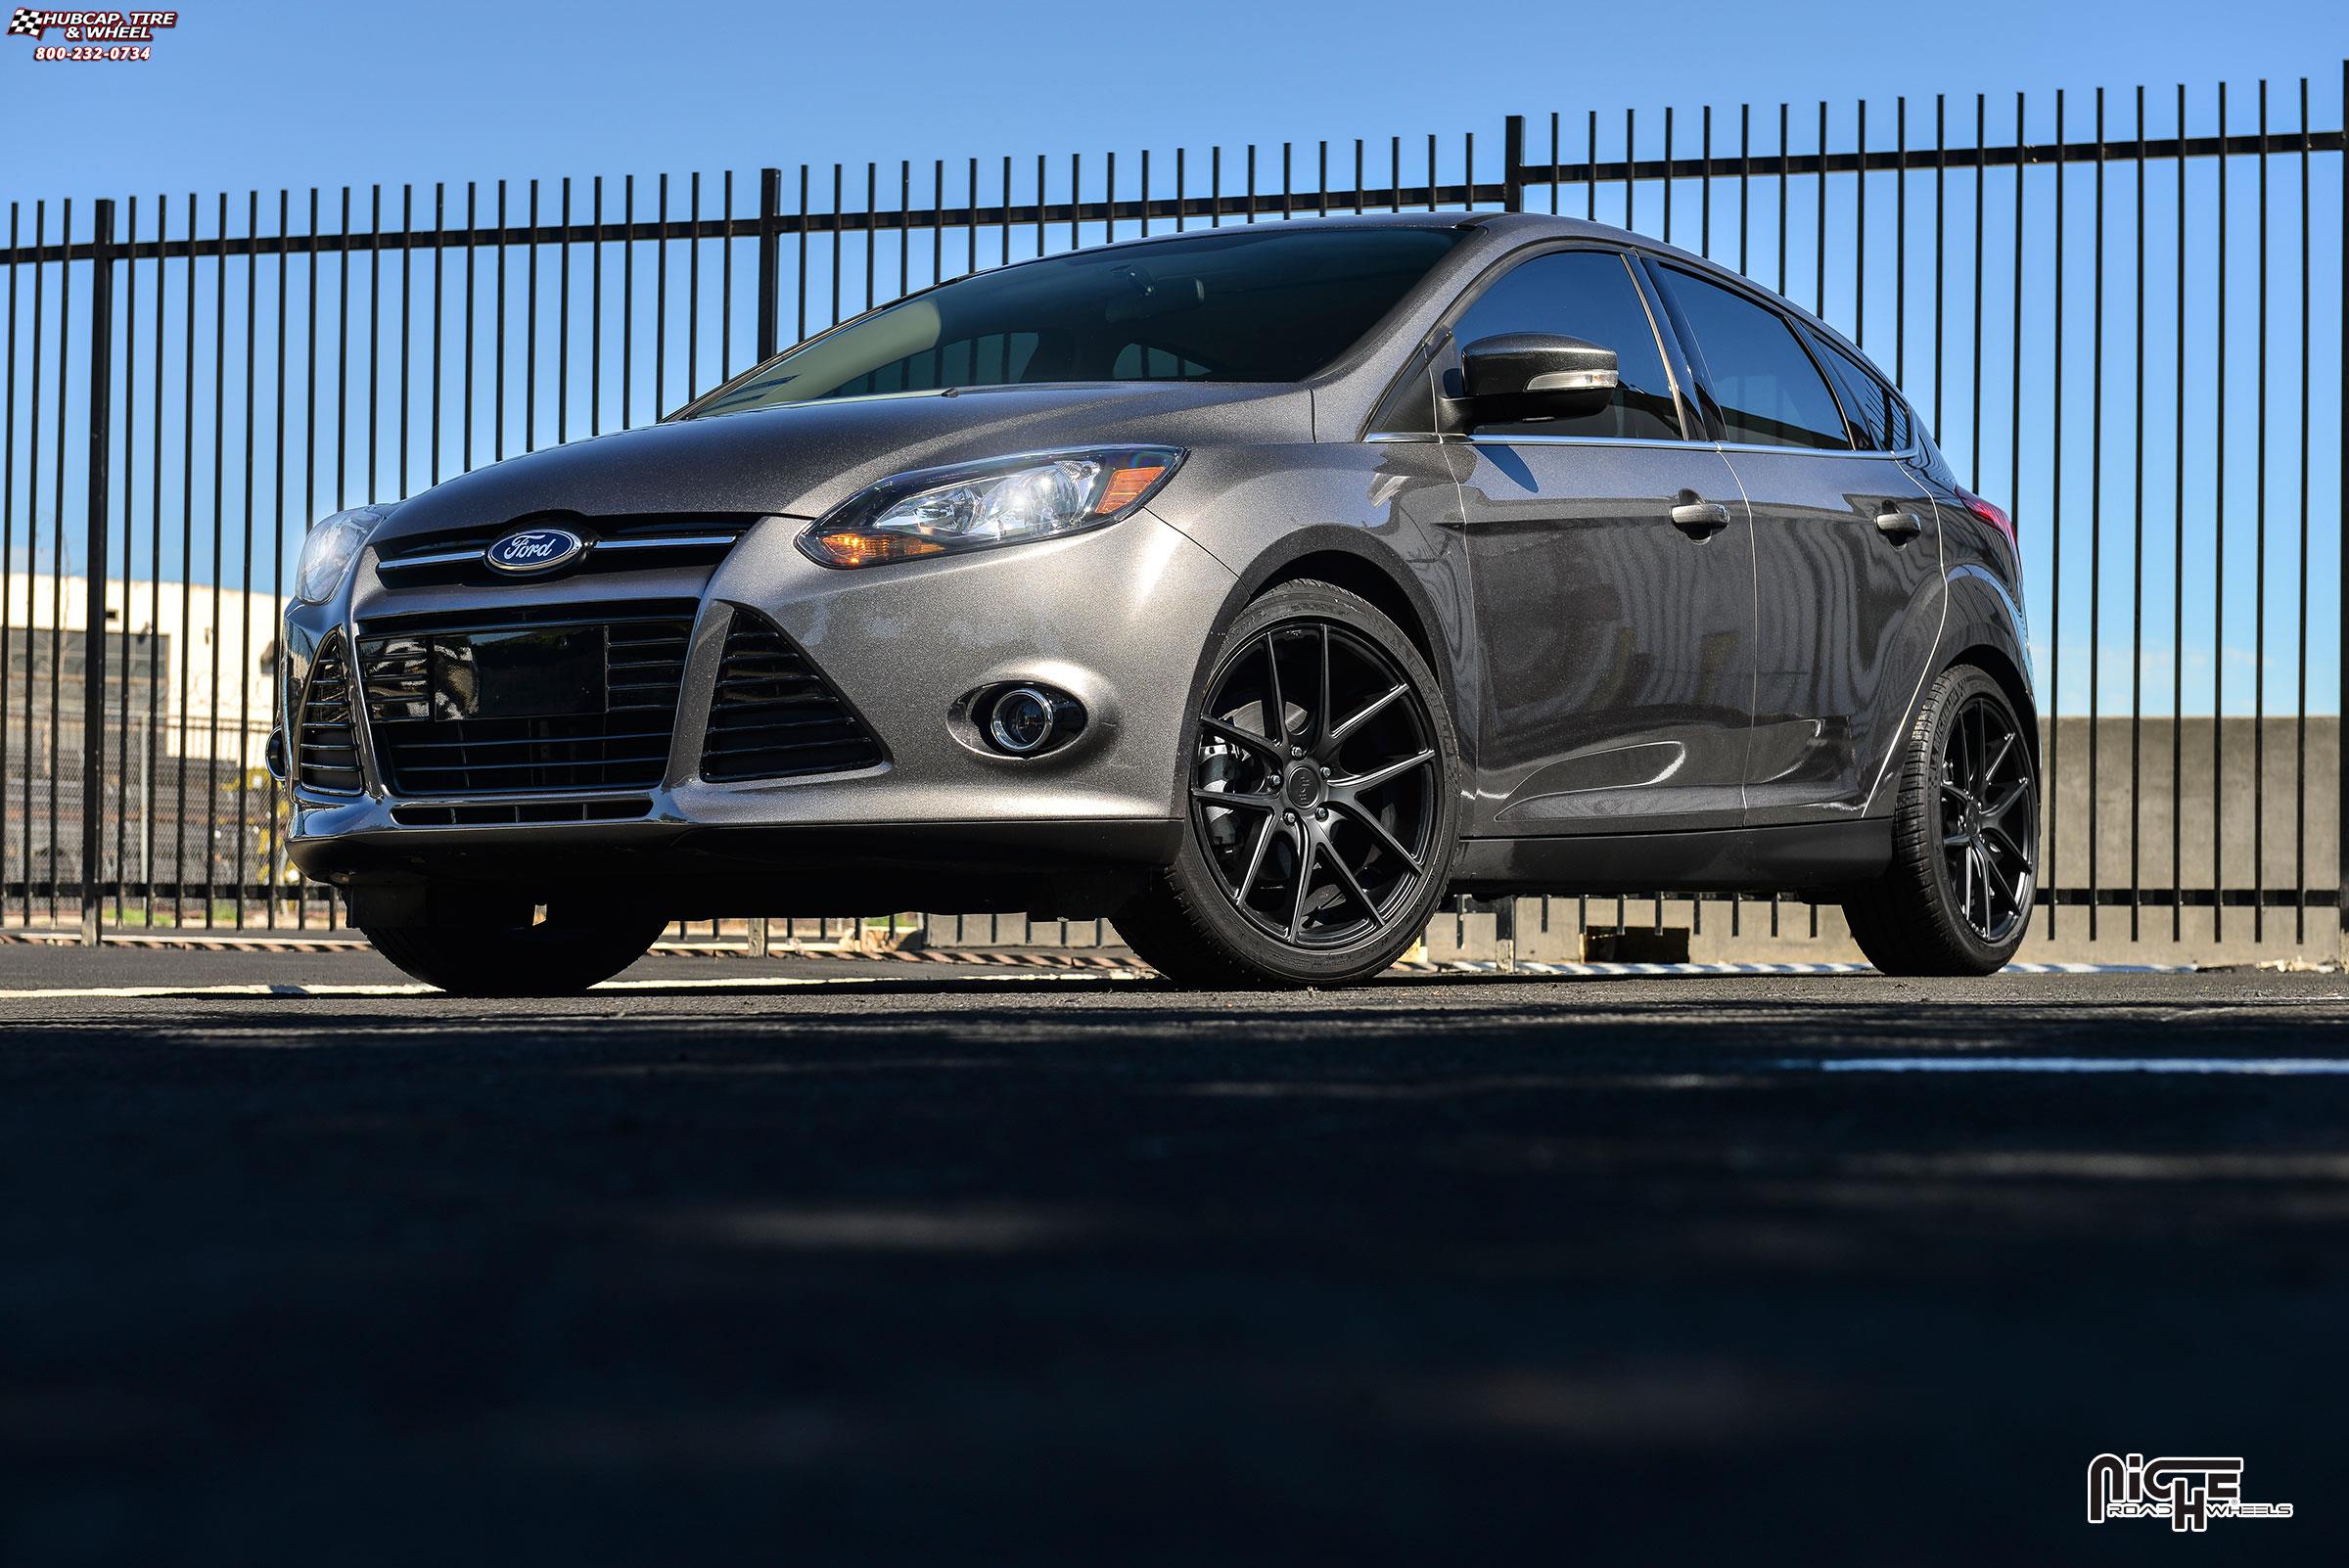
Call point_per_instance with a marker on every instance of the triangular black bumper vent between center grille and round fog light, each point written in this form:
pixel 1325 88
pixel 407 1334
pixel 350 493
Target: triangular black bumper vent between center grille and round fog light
pixel 774 715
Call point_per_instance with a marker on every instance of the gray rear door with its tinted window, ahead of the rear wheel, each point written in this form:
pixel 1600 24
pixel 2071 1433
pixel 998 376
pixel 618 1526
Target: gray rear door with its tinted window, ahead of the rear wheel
pixel 1847 550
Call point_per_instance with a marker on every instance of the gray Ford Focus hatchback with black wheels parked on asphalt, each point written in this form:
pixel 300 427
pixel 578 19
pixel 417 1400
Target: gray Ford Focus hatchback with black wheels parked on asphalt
pixel 1251 588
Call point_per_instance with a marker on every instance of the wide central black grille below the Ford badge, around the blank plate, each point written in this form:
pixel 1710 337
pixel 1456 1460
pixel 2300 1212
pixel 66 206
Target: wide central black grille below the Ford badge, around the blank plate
pixel 626 745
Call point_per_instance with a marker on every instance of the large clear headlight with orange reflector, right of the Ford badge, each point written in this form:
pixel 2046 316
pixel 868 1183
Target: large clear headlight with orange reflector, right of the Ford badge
pixel 978 506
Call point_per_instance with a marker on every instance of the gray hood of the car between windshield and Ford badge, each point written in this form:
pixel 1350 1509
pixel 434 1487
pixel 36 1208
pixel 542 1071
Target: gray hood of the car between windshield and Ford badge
pixel 807 459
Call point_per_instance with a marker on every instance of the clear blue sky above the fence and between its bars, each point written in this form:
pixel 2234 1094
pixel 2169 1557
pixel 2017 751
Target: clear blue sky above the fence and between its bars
pixel 264 97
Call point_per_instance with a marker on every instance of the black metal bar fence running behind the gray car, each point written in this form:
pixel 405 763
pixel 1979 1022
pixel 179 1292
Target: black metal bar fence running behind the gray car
pixel 2085 295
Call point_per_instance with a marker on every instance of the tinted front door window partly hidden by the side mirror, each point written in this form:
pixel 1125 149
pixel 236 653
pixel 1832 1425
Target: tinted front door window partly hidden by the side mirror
pixel 1582 295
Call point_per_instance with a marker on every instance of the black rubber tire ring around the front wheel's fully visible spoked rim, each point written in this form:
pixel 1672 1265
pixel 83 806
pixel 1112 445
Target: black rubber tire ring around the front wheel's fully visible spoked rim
pixel 1192 867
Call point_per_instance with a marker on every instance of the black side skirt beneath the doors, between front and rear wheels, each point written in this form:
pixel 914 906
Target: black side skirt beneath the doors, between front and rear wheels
pixel 1801 858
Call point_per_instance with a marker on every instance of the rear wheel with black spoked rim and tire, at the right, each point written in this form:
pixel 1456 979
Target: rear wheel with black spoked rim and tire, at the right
pixel 1958 898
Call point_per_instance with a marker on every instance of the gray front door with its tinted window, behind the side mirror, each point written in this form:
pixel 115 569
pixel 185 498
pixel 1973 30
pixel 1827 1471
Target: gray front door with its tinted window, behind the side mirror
pixel 1617 640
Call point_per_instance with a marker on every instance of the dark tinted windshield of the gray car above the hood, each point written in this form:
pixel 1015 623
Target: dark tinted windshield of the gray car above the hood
pixel 1225 306
